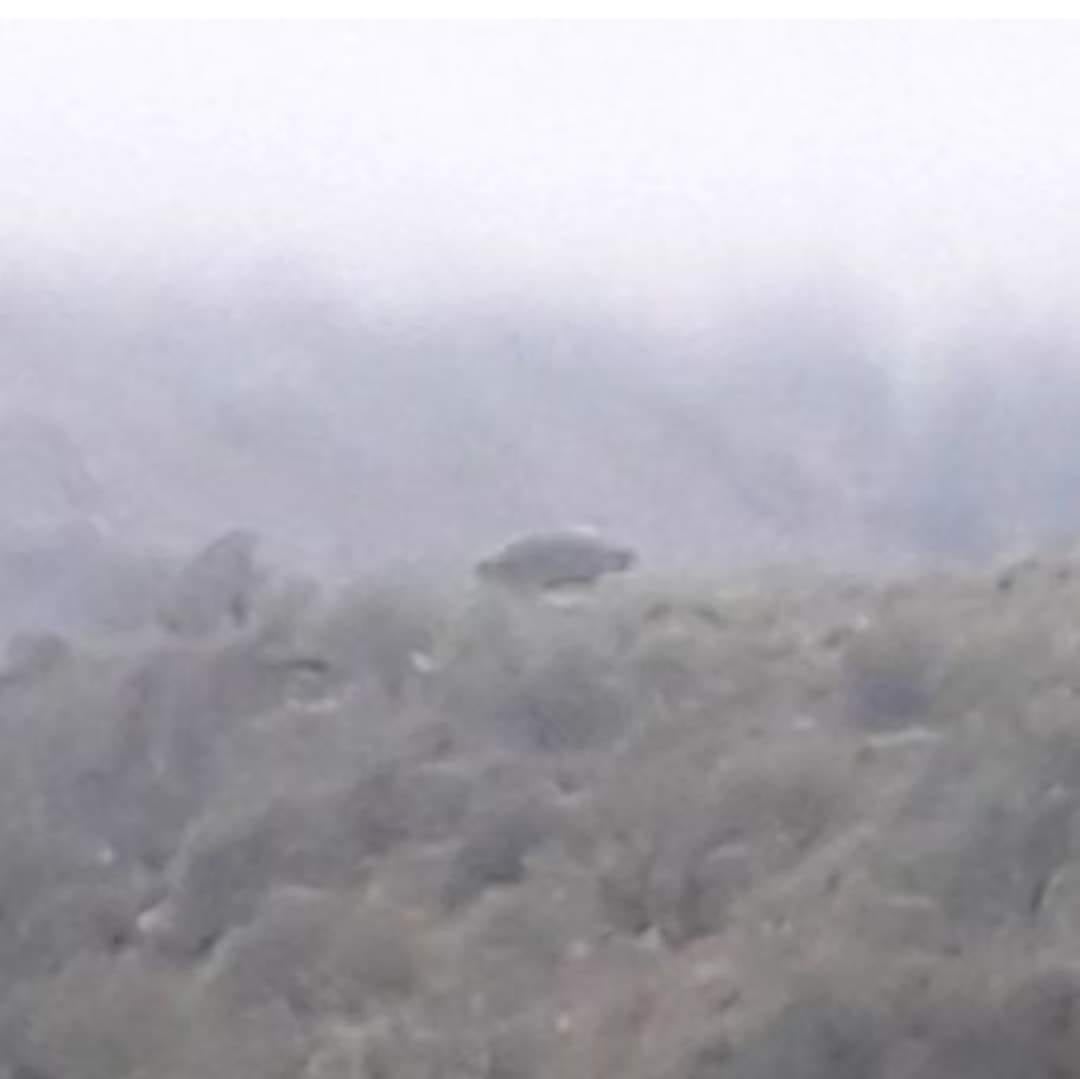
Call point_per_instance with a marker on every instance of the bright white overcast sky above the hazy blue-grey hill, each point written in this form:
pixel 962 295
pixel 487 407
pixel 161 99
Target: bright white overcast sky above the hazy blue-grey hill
pixel 654 165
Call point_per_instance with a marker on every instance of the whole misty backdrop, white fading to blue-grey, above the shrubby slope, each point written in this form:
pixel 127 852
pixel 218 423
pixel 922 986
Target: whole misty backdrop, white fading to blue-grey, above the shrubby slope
pixel 388 291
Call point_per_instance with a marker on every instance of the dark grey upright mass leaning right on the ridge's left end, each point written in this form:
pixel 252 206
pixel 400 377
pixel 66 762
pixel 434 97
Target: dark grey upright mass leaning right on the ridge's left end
pixel 215 588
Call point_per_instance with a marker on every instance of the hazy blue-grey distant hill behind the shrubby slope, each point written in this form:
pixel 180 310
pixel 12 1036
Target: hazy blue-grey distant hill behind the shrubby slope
pixel 358 439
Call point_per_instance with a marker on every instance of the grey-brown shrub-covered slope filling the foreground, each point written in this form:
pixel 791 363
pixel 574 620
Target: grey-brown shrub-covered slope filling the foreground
pixel 815 828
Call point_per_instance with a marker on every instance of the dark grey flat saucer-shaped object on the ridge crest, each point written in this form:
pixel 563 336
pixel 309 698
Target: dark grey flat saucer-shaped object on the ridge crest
pixel 556 560
